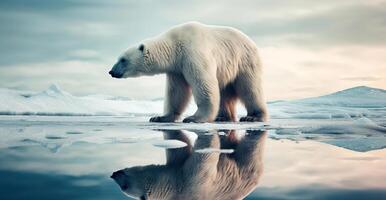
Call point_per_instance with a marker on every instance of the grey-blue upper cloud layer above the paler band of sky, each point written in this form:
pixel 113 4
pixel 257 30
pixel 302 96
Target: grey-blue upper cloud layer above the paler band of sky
pixel 35 30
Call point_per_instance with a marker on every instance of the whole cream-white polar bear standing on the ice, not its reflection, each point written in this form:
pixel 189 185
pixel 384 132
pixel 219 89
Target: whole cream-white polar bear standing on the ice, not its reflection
pixel 219 65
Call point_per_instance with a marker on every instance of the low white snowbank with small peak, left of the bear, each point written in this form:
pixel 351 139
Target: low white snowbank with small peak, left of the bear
pixel 55 101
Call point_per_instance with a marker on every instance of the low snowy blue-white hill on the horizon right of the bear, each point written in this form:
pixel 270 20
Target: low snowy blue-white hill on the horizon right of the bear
pixel 350 103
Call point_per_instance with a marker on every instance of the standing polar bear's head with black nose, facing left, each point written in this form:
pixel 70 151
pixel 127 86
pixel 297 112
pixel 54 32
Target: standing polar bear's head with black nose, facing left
pixel 131 63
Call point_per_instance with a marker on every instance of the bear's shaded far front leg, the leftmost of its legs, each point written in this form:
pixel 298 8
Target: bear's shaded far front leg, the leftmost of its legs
pixel 178 94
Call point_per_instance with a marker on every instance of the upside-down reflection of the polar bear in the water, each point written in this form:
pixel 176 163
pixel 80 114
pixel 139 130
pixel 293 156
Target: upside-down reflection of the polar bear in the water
pixel 191 175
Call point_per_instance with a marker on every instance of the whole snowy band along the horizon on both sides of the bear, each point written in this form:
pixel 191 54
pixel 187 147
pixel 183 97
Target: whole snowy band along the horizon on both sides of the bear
pixel 347 104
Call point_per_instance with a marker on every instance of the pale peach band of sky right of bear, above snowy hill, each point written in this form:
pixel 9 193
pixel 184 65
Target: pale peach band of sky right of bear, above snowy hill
pixel 291 73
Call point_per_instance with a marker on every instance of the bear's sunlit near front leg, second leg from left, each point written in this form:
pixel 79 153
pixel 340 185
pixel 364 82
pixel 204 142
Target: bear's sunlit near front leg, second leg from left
pixel 204 84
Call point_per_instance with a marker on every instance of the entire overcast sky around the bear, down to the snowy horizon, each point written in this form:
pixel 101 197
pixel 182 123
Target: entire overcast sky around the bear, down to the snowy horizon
pixel 308 48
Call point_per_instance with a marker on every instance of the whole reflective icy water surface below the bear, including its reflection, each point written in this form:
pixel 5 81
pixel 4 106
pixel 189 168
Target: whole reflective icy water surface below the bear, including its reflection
pixel 48 157
